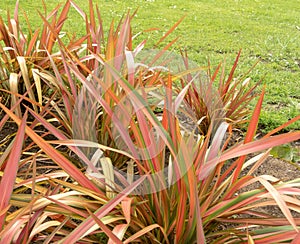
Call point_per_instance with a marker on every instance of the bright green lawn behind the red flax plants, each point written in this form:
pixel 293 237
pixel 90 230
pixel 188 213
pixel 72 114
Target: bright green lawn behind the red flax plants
pixel 216 30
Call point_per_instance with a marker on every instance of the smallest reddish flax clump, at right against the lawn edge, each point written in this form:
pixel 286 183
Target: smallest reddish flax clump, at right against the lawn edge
pixel 234 94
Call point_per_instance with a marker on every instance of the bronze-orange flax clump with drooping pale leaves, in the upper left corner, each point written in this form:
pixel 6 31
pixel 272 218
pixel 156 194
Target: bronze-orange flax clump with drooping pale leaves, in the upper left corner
pixel 25 65
